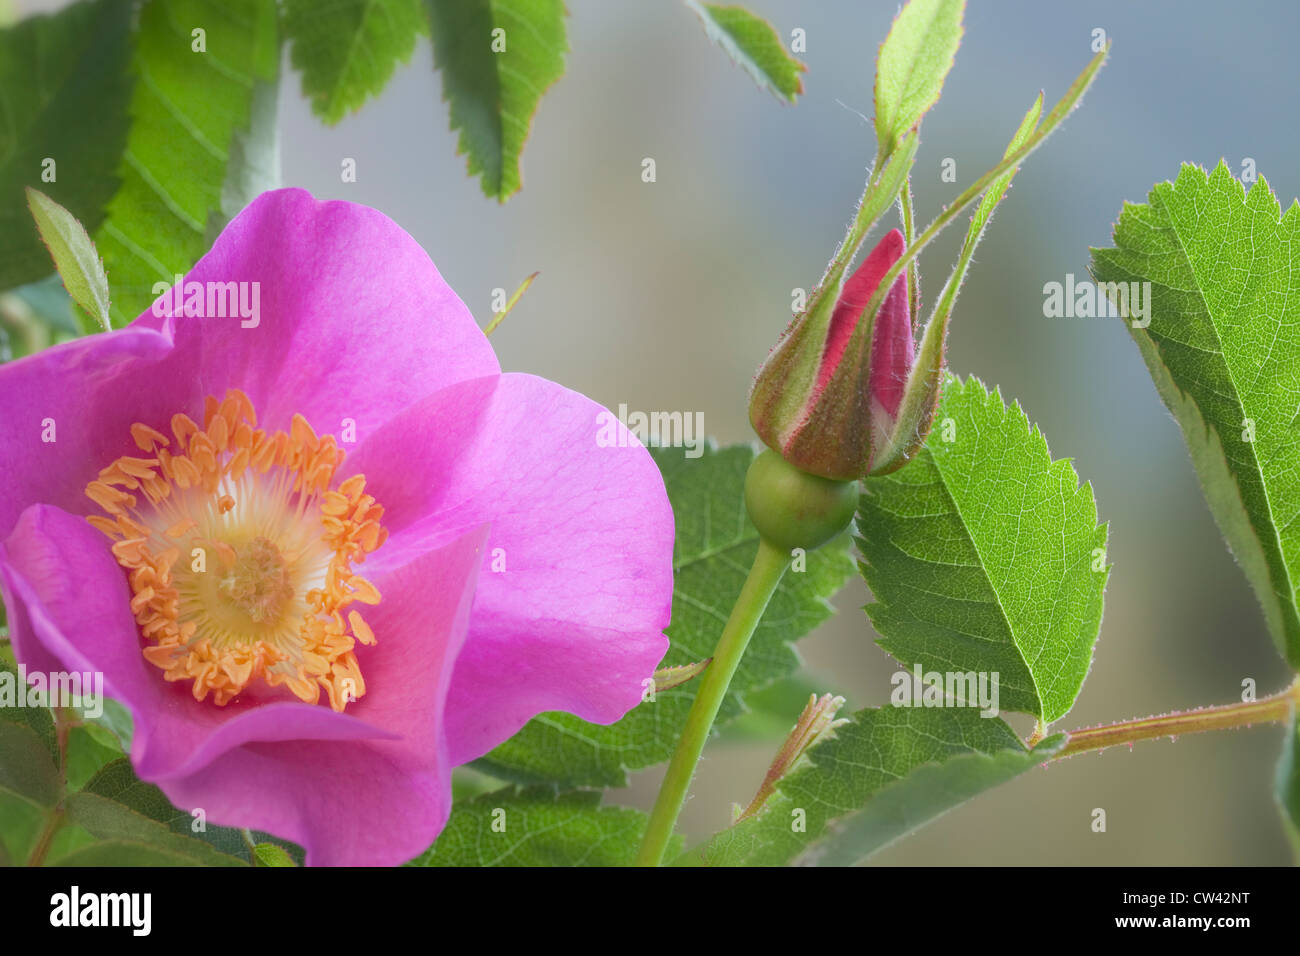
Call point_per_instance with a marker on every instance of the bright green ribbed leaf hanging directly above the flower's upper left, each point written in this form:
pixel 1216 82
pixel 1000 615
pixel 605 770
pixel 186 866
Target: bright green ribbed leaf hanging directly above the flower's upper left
pixel 188 111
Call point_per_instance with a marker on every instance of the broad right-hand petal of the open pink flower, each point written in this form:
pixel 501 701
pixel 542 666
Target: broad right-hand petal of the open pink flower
pixel 577 620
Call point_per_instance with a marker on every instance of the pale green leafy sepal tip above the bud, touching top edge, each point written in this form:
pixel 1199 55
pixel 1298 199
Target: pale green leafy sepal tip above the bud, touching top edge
pixel 913 63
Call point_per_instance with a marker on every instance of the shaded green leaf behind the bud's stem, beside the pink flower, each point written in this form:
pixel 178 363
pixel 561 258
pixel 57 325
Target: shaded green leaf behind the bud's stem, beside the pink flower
pixel 714 550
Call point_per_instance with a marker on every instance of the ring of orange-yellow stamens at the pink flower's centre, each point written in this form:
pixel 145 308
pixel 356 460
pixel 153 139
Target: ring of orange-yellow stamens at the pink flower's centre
pixel 241 555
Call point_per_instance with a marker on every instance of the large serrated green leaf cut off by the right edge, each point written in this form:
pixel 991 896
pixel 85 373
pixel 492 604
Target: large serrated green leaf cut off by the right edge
pixel 1224 349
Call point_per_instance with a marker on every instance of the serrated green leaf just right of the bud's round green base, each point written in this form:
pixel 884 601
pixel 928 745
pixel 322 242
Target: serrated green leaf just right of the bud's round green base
pixel 981 556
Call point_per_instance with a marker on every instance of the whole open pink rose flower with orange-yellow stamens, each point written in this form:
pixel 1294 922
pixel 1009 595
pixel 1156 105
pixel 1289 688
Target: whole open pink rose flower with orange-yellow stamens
pixel 326 553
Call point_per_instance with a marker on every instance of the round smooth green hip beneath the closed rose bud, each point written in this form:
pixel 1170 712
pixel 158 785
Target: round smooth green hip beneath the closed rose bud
pixel 794 509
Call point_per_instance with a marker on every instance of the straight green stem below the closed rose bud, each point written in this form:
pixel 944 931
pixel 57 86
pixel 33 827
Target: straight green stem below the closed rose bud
pixel 764 577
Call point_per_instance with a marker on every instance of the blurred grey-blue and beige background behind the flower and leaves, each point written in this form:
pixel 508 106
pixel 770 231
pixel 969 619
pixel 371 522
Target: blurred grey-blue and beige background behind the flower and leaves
pixel 668 296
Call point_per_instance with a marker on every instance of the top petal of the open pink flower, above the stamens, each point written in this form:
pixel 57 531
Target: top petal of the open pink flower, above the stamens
pixel 357 322
